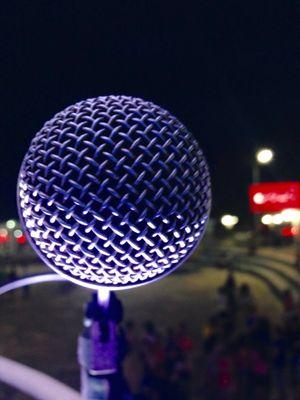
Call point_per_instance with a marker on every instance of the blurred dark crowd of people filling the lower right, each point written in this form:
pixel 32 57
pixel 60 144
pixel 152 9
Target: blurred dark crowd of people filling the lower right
pixel 238 355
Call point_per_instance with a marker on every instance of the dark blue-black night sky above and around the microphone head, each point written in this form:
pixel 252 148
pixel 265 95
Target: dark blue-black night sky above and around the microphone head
pixel 229 70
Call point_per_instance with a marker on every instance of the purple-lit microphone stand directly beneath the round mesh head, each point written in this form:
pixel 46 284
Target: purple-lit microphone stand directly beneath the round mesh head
pixel 100 349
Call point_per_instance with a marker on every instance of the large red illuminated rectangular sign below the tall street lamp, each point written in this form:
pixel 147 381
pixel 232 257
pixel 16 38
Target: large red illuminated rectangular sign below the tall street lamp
pixel 274 197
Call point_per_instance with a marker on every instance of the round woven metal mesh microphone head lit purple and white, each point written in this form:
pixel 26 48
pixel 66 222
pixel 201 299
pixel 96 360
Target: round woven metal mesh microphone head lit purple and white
pixel 114 191
